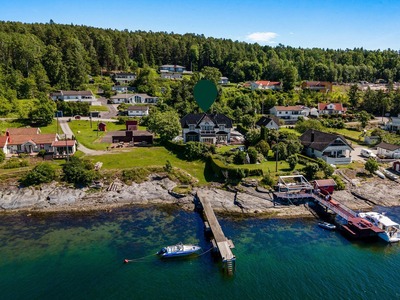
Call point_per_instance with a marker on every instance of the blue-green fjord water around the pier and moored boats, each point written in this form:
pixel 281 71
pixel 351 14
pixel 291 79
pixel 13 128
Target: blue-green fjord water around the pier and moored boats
pixel 81 257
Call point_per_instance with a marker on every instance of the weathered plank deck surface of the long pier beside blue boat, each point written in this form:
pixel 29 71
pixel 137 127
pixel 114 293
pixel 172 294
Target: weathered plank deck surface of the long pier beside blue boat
pixel 224 245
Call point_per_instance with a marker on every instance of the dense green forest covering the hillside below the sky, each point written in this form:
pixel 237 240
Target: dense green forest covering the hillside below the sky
pixel 34 57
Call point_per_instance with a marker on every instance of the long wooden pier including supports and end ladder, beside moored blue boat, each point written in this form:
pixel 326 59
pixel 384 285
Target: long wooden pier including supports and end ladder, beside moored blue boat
pixel 220 242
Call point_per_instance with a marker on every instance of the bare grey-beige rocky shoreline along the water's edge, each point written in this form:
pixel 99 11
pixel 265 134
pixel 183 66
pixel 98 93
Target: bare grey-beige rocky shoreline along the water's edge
pixel 241 201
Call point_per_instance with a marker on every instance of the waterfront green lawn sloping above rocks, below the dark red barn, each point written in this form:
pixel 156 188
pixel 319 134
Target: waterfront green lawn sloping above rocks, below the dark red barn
pixel 155 156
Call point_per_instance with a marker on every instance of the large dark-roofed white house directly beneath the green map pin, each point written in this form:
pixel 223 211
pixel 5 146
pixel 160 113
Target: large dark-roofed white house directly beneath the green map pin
pixel 210 128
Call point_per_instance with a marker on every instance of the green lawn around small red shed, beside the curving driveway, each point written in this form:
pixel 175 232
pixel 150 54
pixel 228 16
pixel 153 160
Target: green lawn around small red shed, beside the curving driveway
pixel 89 137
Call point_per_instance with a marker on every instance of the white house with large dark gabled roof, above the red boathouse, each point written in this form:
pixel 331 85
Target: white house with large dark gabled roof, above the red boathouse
pixel 332 148
